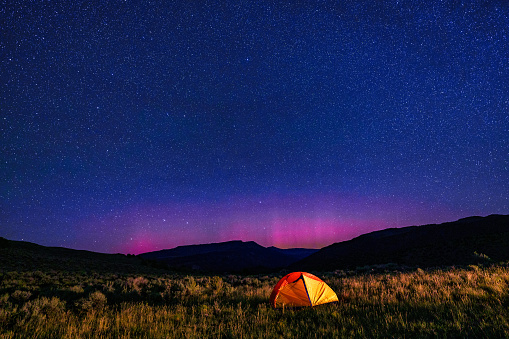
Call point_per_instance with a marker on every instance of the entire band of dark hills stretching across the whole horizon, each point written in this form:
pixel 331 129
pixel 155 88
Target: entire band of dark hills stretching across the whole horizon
pixel 467 241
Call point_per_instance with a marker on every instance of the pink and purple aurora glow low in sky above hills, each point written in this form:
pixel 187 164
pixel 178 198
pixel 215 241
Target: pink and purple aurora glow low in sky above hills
pixel 282 222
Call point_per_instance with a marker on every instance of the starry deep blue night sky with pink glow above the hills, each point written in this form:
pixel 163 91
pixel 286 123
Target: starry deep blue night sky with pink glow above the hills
pixel 129 127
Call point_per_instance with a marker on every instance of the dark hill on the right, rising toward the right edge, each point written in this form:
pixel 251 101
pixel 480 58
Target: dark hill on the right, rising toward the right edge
pixel 466 241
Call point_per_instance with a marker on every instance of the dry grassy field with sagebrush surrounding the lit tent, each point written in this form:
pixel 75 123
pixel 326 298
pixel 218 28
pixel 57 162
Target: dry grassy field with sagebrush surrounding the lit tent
pixel 468 302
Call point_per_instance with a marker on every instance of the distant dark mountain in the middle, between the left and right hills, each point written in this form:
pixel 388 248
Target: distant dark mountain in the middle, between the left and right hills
pixel 230 256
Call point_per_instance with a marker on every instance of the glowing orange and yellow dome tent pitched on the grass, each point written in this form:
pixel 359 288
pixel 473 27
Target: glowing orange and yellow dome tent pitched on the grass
pixel 301 289
